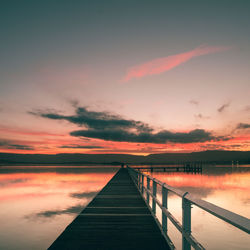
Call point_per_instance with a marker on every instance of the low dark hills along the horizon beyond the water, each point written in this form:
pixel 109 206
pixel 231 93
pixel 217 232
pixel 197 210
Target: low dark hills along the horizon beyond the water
pixel 216 157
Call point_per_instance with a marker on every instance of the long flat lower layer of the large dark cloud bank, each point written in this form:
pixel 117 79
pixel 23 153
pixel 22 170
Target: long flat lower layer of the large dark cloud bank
pixel 197 135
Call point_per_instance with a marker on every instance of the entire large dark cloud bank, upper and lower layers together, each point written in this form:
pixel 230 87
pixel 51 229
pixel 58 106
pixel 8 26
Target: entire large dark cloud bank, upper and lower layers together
pixel 110 127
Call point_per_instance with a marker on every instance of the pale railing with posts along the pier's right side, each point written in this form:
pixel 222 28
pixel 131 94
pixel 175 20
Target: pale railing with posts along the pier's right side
pixel 143 182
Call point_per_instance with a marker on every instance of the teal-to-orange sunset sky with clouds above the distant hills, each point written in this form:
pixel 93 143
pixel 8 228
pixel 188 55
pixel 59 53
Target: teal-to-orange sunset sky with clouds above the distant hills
pixel 134 77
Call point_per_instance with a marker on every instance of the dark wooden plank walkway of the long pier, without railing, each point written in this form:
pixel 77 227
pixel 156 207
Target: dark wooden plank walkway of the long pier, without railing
pixel 117 218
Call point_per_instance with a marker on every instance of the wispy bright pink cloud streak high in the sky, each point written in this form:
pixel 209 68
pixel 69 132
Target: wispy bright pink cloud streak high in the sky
pixel 160 65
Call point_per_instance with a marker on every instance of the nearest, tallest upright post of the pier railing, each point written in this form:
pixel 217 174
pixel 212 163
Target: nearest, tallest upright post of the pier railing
pixel 186 221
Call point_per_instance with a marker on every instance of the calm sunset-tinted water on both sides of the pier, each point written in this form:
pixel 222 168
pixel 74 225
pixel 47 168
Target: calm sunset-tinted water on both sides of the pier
pixel 37 203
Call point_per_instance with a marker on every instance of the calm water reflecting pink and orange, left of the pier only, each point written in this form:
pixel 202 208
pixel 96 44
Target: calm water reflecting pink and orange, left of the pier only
pixel 38 202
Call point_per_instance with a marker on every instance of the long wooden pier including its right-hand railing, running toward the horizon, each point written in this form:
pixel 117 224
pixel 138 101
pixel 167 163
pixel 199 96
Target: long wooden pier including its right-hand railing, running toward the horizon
pixel 123 216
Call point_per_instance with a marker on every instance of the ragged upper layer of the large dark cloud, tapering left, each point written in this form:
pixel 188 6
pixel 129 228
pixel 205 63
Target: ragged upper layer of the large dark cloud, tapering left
pixel 96 120
